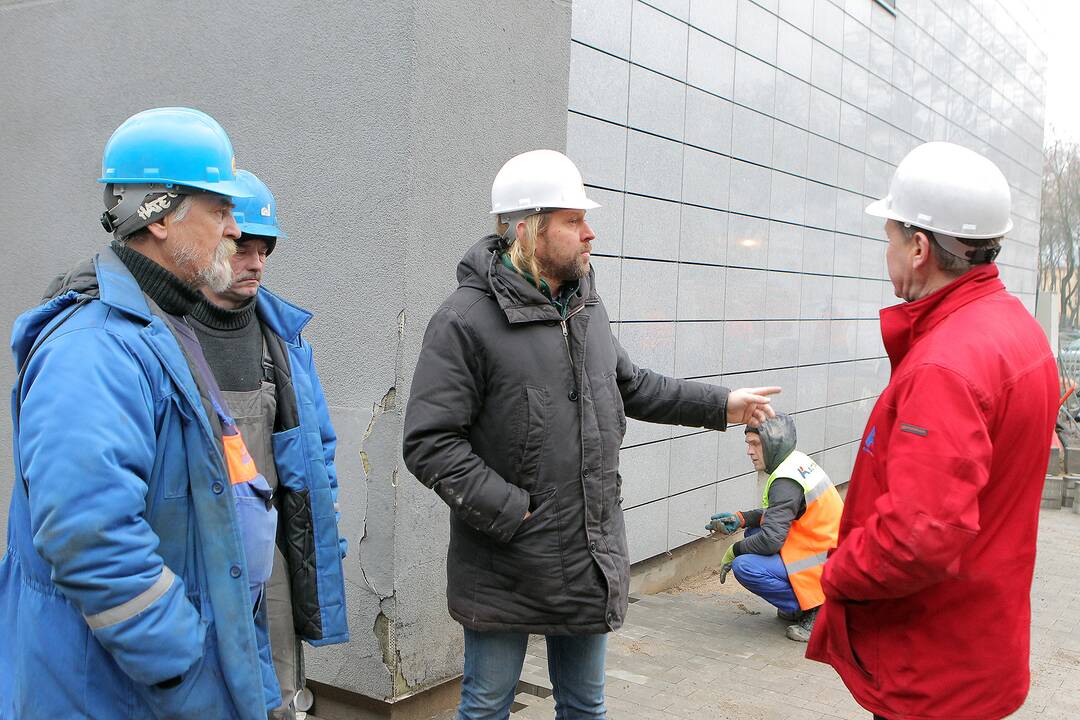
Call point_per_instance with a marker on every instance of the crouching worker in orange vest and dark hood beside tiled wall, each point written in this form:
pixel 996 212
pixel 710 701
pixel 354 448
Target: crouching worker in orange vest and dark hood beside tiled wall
pixel 784 553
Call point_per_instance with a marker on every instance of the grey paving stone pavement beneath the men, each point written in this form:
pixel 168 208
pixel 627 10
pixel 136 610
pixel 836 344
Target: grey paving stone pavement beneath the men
pixel 709 650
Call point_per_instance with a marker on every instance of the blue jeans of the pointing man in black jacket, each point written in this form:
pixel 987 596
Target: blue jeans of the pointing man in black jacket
pixel 494 665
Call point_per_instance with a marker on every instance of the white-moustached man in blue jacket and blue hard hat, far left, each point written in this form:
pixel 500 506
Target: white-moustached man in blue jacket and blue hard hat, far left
pixel 140 533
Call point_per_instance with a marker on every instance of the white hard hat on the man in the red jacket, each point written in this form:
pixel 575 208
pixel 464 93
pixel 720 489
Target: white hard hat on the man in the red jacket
pixel 948 189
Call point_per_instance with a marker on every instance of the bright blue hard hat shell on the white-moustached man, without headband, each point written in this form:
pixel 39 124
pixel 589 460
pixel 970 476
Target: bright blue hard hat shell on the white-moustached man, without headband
pixel 172 146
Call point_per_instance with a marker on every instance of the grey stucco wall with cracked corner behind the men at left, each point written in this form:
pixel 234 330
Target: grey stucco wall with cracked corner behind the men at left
pixel 380 128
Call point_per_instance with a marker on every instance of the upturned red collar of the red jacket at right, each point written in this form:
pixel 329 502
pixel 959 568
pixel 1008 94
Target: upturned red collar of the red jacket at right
pixel 904 324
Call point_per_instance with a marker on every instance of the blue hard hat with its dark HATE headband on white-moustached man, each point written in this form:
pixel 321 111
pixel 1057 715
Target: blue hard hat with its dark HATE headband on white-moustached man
pixel 161 154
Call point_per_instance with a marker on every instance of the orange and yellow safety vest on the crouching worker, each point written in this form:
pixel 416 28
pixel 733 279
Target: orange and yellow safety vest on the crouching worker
pixel 814 535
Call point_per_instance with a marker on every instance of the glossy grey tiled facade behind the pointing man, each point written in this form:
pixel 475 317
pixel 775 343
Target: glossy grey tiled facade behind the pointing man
pixel 734 145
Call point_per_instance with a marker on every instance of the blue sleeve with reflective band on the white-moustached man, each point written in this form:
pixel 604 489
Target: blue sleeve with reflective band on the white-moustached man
pixel 88 442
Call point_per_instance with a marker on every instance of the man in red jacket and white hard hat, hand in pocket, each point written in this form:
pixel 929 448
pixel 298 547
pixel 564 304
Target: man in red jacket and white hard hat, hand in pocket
pixel 928 612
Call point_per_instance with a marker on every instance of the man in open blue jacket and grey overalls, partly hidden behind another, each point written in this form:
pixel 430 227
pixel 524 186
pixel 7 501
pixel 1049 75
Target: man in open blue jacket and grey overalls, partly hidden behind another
pixel 246 333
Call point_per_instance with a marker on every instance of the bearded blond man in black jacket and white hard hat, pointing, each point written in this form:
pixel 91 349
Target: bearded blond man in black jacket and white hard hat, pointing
pixel 518 411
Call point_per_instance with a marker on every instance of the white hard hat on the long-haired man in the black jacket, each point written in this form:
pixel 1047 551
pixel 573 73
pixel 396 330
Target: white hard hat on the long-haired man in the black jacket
pixel 536 181
